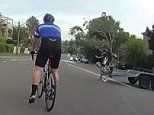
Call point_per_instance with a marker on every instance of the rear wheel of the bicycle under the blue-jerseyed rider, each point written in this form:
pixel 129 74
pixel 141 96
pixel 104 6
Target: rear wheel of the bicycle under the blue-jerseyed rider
pixel 50 94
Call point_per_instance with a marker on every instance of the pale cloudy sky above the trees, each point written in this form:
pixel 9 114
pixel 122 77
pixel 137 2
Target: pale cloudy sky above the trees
pixel 134 15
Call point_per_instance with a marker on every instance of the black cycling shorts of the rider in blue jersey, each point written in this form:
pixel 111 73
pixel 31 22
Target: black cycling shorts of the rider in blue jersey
pixel 47 49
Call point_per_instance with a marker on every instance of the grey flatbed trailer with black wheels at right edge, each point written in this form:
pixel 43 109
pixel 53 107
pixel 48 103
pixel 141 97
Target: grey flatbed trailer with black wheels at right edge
pixel 143 76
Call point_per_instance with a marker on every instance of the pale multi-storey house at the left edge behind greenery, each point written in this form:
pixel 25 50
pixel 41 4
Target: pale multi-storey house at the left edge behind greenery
pixel 6 27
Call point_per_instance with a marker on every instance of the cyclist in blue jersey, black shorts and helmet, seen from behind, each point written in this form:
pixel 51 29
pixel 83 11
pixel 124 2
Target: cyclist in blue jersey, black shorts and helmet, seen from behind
pixel 50 35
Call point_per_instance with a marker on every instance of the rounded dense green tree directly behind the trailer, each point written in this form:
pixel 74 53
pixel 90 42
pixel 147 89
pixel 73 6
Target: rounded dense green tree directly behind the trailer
pixel 134 52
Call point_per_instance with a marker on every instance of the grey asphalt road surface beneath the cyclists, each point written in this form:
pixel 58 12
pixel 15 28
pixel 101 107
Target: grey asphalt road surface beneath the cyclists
pixel 79 92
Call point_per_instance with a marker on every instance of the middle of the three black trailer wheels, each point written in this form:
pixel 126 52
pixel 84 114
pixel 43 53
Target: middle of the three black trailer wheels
pixel 144 81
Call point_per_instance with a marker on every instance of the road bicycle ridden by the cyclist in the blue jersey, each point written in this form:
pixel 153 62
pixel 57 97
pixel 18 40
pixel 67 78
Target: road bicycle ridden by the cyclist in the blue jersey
pixel 47 86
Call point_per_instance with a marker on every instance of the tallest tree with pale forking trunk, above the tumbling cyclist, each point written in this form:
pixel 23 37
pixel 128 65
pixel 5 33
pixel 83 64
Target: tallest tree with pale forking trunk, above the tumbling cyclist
pixel 105 28
